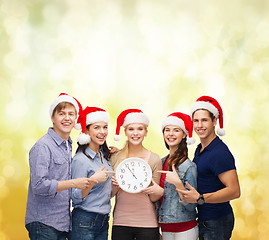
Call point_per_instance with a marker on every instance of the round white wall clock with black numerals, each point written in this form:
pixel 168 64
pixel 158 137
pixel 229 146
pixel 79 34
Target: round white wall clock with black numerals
pixel 133 175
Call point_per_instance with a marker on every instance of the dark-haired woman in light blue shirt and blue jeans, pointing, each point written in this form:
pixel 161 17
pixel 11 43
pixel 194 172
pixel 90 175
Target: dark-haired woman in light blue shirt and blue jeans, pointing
pixel 92 206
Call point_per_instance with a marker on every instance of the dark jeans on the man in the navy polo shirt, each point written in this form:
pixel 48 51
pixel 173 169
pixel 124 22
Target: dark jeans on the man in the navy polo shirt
pixel 218 229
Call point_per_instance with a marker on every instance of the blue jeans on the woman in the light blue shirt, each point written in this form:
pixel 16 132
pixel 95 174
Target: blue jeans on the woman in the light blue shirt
pixel 89 225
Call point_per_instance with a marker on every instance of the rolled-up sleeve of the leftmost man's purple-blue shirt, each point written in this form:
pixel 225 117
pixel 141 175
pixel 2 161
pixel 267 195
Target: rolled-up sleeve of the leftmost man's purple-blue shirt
pixel 39 162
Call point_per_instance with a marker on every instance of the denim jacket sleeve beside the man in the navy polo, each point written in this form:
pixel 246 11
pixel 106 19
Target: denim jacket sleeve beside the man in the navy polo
pixel 191 178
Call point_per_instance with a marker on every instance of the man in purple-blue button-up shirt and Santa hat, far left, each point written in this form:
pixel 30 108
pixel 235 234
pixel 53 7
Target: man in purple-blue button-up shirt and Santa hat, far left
pixel 48 204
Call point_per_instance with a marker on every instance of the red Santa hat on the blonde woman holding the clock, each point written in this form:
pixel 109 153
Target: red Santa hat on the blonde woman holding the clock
pixel 129 116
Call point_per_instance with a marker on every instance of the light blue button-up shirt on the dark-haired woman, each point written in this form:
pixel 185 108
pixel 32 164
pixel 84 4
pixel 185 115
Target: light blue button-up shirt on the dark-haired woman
pixel 98 199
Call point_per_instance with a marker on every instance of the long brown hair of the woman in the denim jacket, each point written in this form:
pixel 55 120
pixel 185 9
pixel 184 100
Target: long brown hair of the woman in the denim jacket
pixel 180 155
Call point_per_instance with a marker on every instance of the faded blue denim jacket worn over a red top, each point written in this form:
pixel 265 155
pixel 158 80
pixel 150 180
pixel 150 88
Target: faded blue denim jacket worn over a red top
pixel 173 209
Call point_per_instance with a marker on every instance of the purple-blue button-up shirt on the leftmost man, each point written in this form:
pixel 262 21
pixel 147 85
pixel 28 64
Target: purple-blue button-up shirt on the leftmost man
pixel 49 161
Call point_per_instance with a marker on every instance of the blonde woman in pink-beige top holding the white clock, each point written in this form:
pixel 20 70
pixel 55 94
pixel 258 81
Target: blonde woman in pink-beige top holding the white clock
pixel 134 215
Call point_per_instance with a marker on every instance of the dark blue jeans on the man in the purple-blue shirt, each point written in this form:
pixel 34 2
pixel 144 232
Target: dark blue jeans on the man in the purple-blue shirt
pixel 40 231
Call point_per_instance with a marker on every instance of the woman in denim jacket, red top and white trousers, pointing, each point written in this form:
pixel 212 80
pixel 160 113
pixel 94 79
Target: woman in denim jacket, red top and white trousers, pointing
pixel 177 218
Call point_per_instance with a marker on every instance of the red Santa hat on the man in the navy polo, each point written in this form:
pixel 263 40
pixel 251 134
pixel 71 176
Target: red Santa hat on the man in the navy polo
pixel 212 105
